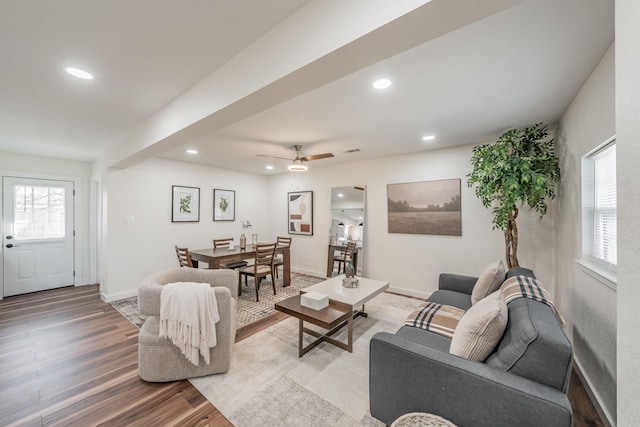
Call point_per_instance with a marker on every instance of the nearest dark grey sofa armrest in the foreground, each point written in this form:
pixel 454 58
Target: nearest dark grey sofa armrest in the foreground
pixel 405 376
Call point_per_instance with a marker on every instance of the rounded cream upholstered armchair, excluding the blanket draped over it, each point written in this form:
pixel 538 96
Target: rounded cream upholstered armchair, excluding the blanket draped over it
pixel 158 359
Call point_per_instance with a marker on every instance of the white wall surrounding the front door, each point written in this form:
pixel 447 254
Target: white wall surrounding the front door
pixel 79 172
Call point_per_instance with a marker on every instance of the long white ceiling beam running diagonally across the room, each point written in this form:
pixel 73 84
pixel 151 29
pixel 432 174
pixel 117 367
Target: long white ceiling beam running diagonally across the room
pixel 321 42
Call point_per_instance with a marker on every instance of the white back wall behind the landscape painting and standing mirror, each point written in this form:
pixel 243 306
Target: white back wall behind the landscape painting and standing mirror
pixel 411 263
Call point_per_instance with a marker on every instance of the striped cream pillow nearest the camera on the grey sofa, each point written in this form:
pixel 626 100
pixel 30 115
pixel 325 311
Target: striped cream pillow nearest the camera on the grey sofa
pixel 481 328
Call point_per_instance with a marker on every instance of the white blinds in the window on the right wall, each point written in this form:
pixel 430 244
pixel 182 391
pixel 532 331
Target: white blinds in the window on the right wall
pixel 605 206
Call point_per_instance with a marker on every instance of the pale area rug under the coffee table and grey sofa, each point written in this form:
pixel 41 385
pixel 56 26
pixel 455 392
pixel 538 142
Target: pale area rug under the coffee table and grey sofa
pixel 268 385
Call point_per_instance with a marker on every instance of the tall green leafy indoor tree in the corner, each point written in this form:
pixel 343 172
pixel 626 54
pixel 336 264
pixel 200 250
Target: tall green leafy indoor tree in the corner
pixel 520 168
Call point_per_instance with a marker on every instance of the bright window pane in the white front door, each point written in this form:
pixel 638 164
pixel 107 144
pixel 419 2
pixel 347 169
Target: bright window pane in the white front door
pixel 39 212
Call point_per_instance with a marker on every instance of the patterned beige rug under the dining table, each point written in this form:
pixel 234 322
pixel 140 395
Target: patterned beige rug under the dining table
pixel 249 310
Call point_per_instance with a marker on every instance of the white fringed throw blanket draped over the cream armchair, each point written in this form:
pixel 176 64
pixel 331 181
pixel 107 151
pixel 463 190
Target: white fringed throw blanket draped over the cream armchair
pixel 188 314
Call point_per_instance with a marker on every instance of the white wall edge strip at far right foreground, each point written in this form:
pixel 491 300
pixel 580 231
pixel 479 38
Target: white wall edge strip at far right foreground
pixel 628 167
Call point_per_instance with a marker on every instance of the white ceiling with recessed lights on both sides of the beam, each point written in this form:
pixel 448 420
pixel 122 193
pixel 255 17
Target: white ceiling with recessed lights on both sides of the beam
pixel 518 67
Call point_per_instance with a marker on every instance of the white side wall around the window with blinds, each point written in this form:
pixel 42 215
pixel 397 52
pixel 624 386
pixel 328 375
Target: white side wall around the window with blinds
pixel 589 303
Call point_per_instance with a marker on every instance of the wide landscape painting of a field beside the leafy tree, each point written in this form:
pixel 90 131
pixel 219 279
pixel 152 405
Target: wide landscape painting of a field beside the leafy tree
pixel 427 207
